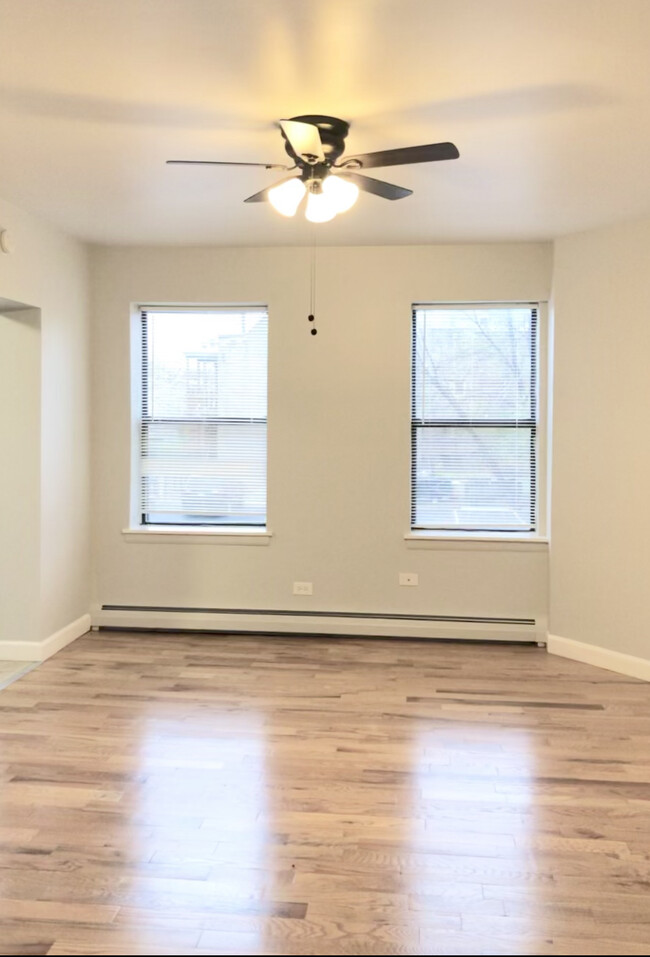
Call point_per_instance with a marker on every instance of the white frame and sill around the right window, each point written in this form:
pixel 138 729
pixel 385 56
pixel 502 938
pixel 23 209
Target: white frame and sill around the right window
pixel 444 538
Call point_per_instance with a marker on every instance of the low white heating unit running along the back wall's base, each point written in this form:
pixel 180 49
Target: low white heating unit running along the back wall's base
pixel 343 623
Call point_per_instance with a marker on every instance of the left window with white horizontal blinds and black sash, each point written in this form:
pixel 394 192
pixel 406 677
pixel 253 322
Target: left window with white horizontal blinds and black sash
pixel 203 416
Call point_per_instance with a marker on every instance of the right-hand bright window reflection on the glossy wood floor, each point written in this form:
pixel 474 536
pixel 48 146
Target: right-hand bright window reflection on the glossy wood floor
pixel 476 826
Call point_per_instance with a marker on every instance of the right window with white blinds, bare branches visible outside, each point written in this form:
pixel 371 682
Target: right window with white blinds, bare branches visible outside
pixel 474 425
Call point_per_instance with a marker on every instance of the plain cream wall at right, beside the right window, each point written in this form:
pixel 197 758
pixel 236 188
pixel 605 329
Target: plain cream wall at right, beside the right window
pixel 600 563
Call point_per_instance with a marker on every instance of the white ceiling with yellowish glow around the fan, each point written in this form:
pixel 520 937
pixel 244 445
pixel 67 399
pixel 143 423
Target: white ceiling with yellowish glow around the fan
pixel 548 102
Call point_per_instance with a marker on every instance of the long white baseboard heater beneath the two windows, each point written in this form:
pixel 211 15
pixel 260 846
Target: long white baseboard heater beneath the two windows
pixel 263 623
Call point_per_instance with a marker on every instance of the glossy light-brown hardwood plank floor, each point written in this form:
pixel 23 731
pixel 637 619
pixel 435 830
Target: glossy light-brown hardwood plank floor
pixel 167 794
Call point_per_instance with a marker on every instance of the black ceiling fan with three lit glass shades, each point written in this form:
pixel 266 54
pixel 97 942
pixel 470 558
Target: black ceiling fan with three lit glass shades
pixel 315 144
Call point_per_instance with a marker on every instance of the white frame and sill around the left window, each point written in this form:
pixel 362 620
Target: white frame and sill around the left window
pixel 136 531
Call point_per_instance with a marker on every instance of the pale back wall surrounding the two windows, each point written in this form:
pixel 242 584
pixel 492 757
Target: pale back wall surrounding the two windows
pixel 338 431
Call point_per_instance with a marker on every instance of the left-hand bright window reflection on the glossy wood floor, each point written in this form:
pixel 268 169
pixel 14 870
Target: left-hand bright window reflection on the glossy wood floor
pixel 203 791
